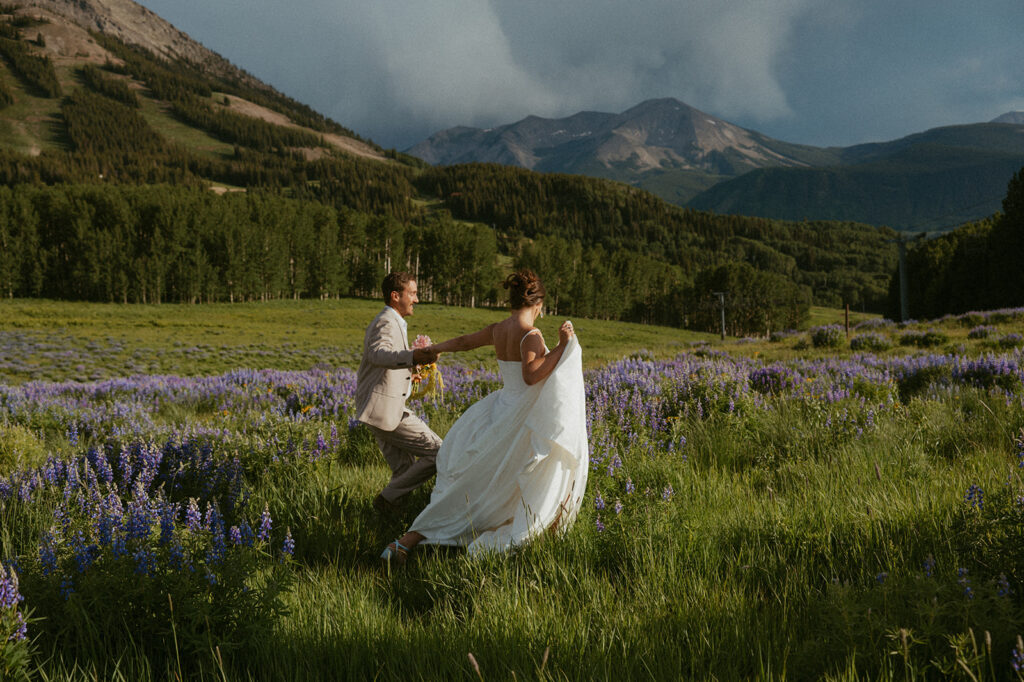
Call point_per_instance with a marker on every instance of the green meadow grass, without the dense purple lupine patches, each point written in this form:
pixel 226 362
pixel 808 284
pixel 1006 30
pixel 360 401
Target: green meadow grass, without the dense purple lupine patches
pixel 794 545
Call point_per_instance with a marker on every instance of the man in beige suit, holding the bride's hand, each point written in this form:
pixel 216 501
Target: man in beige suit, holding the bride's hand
pixel 382 385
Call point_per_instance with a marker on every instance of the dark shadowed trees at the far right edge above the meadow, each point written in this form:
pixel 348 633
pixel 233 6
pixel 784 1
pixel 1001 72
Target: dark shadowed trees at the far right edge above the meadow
pixel 974 268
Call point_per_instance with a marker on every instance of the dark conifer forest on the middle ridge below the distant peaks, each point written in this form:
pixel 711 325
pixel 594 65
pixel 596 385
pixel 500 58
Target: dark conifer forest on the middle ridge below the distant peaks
pixel 837 263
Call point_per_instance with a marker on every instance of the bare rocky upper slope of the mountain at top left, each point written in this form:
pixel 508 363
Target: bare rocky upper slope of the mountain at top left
pixel 65 33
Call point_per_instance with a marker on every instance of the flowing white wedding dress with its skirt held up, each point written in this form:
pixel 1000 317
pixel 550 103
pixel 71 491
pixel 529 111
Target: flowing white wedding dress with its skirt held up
pixel 515 464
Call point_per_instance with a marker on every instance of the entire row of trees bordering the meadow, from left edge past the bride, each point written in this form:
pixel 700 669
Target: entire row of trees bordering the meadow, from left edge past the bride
pixel 173 244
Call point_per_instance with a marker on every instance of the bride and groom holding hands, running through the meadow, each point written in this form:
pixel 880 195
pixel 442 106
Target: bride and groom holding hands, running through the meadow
pixel 516 464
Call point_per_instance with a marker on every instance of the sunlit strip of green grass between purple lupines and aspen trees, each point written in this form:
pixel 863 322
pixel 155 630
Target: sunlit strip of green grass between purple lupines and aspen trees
pixel 291 335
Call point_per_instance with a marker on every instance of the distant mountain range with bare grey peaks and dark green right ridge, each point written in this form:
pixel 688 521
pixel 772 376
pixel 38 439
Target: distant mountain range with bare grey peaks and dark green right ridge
pixel 930 181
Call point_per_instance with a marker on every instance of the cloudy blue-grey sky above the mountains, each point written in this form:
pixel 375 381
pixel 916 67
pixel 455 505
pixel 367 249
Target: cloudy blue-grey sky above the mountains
pixel 817 72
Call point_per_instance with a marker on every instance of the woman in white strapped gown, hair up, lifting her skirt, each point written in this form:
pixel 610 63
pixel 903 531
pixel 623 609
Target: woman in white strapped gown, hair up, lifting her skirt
pixel 516 463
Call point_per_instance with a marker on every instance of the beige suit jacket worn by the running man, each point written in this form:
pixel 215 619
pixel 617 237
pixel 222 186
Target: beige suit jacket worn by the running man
pixel 385 379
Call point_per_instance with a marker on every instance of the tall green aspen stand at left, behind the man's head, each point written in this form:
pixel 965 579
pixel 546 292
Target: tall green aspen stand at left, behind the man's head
pixel 165 244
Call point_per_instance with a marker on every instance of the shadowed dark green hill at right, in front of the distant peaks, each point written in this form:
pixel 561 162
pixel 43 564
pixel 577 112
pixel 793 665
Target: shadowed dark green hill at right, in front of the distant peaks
pixel 930 182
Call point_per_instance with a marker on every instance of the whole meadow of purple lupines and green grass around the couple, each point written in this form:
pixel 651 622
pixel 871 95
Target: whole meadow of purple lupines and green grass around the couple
pixel 808 506
